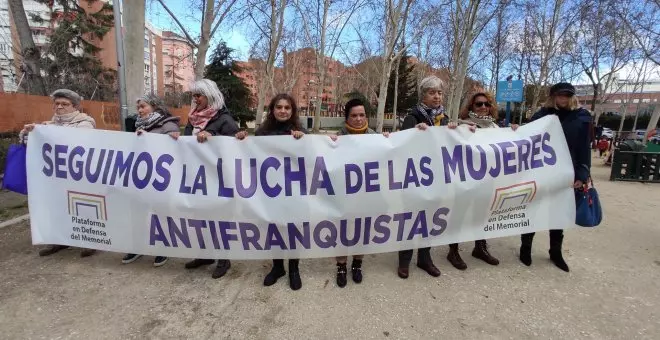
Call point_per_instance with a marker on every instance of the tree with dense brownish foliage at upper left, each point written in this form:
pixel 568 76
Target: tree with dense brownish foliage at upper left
pixel 70 55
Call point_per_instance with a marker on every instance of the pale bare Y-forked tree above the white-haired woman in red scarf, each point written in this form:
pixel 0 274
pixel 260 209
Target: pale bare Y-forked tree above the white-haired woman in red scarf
pixel 213 14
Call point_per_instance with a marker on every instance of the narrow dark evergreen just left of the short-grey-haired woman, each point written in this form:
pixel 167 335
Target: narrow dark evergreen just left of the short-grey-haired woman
pixel 406 93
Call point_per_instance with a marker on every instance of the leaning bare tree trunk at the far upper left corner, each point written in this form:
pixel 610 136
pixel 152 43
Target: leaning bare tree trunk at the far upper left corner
pixel 29 51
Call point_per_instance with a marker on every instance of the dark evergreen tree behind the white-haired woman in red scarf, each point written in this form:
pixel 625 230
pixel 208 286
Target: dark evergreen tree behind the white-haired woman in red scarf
pixel 224 71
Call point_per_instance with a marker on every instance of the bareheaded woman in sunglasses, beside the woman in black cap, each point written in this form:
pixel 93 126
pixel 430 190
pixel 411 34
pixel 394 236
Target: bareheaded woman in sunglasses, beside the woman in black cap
pixel 480 111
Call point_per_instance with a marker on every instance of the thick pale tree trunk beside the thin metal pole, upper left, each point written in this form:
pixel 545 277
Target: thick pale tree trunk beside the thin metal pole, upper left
pixel 133 19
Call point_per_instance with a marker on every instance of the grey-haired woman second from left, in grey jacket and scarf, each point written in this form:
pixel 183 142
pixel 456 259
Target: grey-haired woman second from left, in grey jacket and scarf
pixel 153 117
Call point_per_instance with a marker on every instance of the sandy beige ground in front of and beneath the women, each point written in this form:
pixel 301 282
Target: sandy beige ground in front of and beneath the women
pixel 612 291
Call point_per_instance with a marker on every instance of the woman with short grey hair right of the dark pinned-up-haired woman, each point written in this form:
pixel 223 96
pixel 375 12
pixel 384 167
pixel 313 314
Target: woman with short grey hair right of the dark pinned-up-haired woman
pixel 428 112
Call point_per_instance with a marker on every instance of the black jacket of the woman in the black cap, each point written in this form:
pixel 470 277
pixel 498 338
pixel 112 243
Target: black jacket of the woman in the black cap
pixel 577 129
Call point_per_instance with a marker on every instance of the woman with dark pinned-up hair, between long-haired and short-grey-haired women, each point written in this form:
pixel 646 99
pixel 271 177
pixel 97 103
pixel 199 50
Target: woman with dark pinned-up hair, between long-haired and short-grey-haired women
pixel 356 124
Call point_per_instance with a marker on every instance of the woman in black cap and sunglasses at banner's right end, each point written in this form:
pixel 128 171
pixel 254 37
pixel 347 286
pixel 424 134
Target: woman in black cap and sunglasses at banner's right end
pixel 576 123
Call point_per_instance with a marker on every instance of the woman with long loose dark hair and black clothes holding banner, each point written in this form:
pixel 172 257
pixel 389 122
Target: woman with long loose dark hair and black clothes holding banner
pixel 282 120
